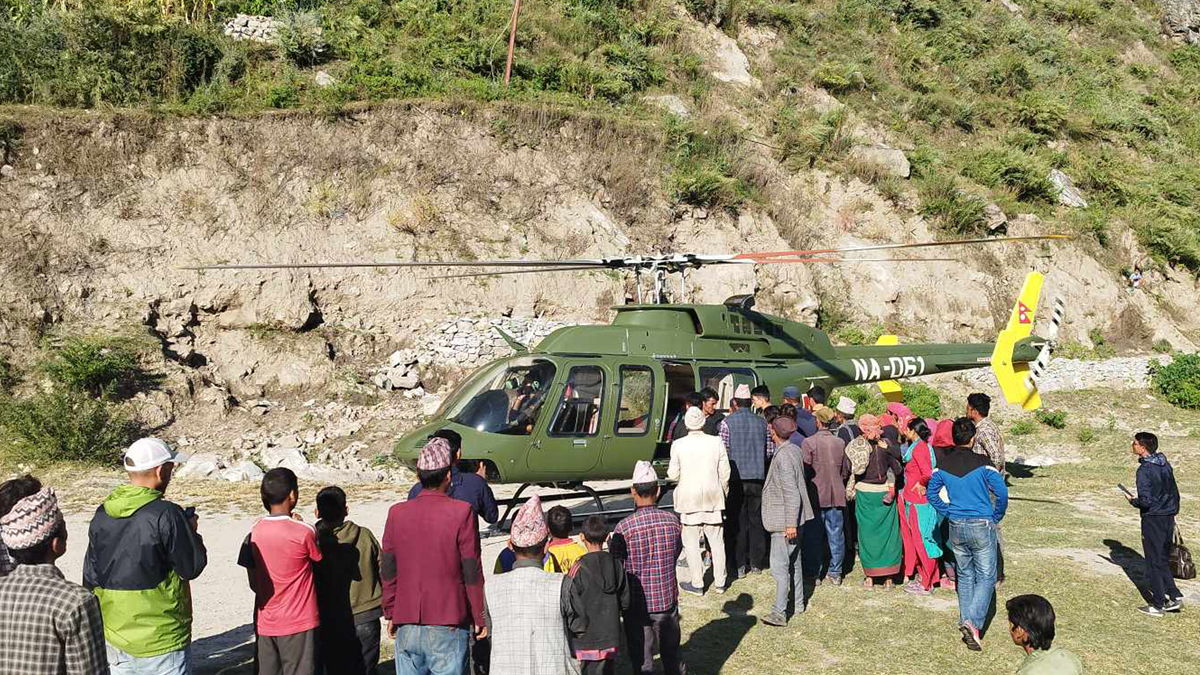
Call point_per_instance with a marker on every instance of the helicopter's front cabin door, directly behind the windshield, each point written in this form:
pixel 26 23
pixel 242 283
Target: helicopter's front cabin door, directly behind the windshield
pixel 575 434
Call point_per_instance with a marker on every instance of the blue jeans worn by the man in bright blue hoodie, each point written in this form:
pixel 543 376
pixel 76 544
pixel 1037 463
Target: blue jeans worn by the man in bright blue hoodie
pixel 974 543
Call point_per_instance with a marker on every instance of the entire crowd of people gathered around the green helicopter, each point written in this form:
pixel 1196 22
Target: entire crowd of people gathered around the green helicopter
pixel 800 489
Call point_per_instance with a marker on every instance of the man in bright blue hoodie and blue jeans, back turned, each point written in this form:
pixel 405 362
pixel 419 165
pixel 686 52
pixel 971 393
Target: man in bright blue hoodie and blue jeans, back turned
pixel 971 485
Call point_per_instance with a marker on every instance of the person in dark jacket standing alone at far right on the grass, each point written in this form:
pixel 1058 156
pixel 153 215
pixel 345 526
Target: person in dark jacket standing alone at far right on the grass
pixel 1159 500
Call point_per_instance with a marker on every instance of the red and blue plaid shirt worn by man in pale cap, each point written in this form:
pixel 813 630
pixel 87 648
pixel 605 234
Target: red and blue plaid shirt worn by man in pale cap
pixel 652 546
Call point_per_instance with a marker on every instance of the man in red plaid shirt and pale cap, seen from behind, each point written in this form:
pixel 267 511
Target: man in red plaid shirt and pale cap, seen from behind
pixel 650 543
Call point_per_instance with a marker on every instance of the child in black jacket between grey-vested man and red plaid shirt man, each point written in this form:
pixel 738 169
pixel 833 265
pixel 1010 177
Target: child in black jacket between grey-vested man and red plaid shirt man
pixel 599 596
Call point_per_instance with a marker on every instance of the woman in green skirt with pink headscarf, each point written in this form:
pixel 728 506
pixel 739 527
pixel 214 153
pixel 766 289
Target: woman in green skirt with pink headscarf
pixel 872 458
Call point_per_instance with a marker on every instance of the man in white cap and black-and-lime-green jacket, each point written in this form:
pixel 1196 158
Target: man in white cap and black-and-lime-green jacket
pixel 142 554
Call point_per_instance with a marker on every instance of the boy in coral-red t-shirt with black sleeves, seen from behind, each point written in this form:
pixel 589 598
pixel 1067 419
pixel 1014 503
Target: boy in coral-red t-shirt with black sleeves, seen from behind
pixel 278 557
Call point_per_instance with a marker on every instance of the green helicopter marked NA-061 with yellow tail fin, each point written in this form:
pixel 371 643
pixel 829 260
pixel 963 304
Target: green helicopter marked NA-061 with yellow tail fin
pixel 589 402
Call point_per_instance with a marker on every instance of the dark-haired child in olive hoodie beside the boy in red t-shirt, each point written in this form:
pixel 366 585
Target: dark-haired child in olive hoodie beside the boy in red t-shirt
pixel 350 594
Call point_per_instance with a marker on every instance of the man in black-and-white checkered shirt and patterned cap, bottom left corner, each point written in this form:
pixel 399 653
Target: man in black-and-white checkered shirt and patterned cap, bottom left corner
pixel 49 626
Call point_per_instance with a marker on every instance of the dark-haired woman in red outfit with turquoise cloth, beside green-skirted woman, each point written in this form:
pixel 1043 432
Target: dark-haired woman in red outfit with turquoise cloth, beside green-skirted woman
pixel 919 521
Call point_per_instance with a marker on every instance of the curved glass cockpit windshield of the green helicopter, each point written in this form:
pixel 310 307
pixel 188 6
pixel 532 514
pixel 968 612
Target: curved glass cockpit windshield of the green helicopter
pixel 506 399
